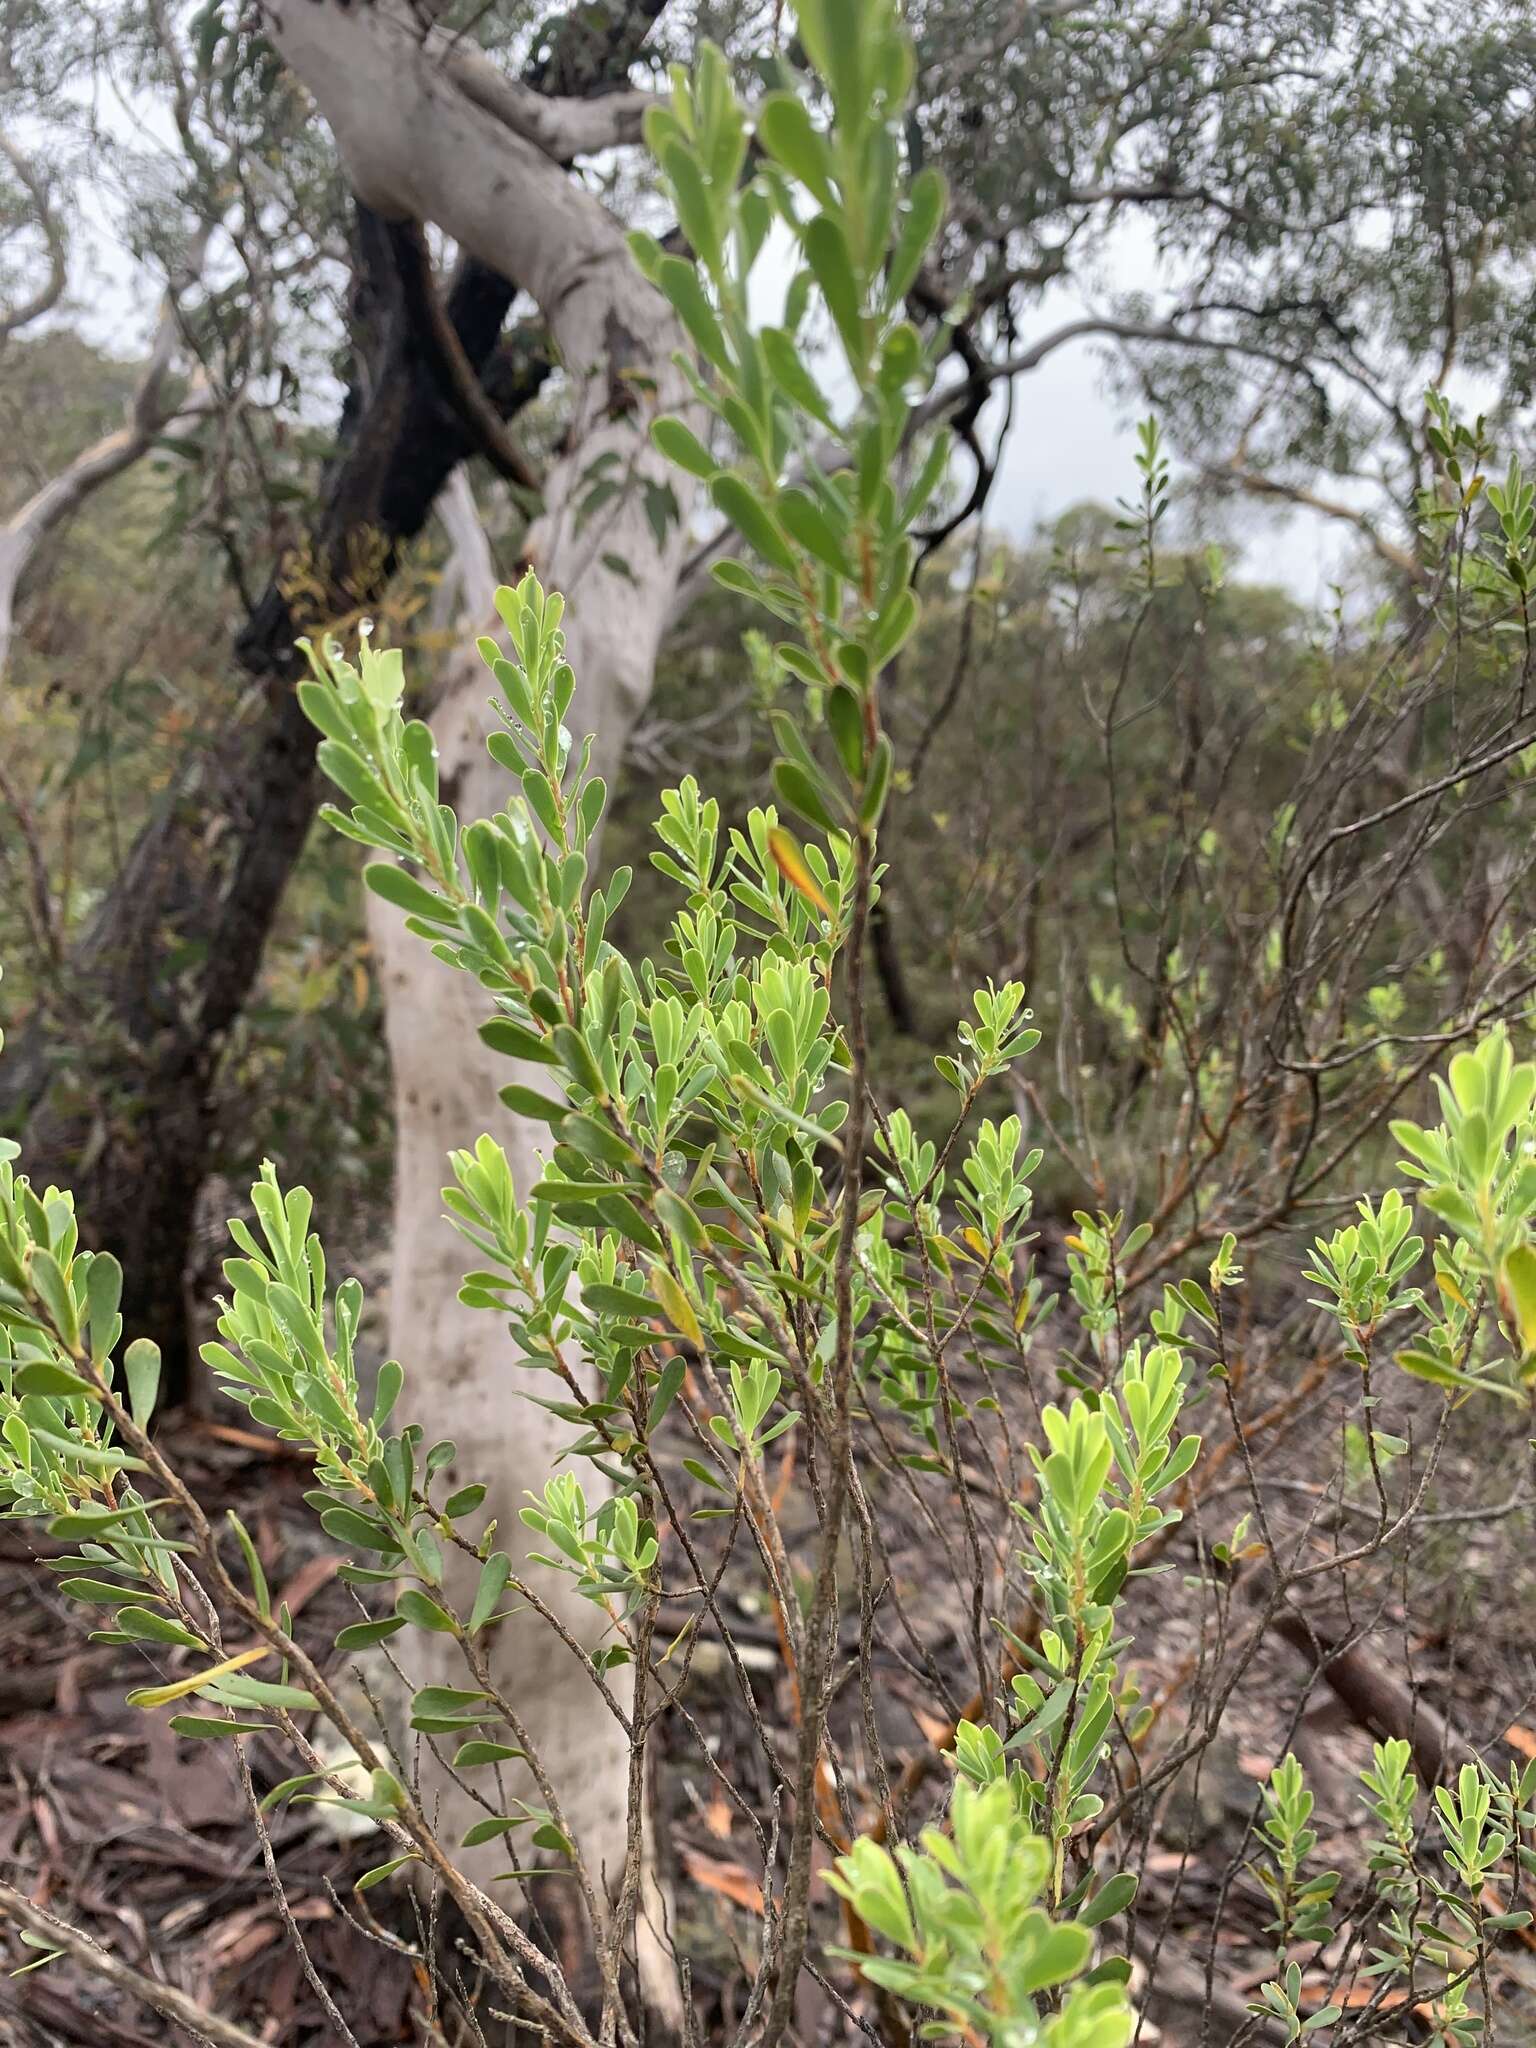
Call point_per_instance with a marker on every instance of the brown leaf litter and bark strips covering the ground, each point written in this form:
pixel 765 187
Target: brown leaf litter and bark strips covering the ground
pixel 144 1840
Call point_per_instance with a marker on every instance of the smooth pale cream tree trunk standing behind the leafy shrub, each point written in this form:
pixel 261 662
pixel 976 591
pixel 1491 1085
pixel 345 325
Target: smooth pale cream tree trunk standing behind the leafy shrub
pixel 439 136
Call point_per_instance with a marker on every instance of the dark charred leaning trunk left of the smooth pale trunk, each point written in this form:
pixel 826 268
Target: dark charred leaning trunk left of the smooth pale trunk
pixel 116 1082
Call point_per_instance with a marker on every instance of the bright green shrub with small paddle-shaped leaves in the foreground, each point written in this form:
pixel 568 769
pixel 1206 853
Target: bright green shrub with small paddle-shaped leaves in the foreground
pixel 734 1238
